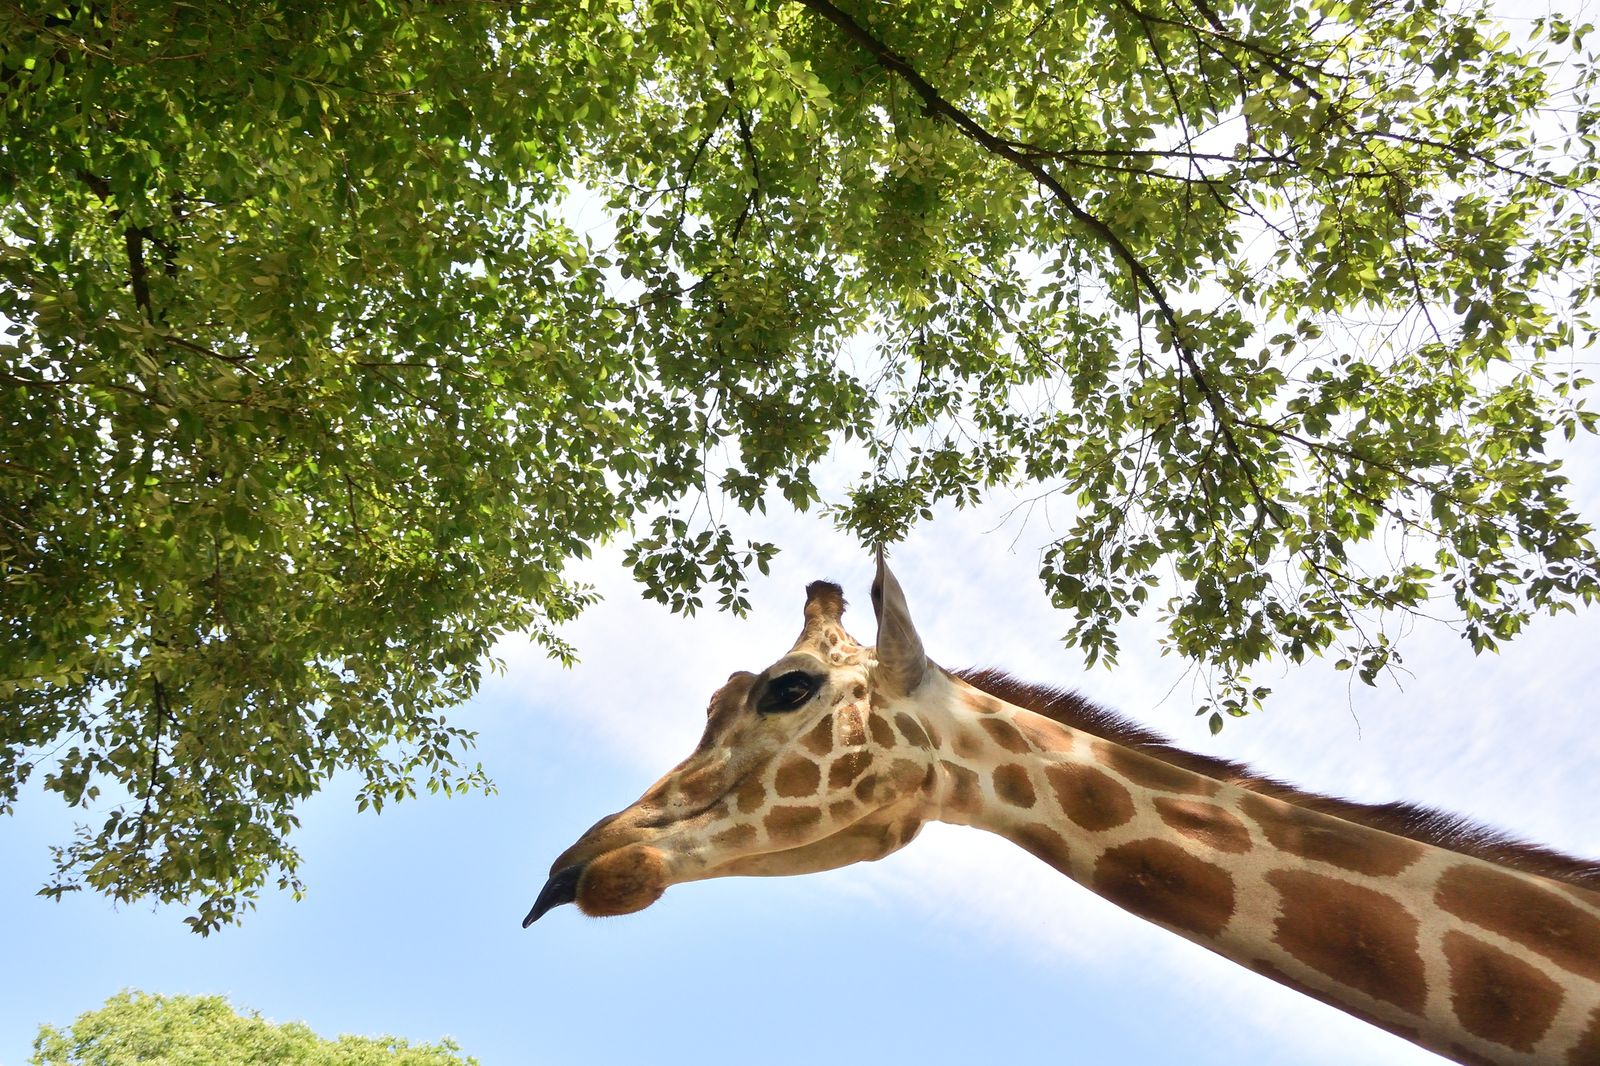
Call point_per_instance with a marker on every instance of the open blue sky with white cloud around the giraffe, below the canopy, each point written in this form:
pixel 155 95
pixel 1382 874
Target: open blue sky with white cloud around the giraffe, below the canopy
pixel 961 945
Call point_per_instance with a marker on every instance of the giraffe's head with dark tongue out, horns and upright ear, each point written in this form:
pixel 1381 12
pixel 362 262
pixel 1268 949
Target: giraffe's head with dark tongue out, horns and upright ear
pixel 804 767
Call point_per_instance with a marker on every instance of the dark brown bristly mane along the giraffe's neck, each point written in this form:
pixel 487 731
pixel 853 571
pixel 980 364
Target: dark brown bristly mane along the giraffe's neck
pixel 1420 824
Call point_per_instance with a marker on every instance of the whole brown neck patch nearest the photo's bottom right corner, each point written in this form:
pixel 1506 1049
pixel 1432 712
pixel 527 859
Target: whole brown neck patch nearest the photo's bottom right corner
pixel 1497 995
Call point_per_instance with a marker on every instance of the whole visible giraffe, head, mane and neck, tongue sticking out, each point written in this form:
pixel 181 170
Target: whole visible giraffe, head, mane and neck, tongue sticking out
pixel 1457 939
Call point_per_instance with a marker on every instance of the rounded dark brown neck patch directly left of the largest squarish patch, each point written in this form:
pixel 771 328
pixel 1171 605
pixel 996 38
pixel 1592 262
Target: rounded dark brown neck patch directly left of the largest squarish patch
pixel 1159 881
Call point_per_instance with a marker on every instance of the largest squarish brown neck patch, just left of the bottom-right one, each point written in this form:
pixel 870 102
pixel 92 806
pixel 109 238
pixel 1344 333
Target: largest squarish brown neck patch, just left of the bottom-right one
pixel 1353 934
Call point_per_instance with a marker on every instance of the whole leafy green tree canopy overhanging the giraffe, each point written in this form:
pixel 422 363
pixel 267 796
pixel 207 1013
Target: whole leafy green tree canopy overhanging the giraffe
pixel 314 390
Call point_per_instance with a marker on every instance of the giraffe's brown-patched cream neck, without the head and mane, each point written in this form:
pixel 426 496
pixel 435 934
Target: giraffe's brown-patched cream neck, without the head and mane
pixel 1476 961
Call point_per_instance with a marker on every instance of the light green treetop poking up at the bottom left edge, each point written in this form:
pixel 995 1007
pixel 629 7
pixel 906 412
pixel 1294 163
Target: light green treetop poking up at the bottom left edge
pixel 206 1032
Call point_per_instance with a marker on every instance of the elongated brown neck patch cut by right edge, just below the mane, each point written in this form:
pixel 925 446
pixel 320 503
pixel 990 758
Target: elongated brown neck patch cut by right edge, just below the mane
pixel 1529 915
